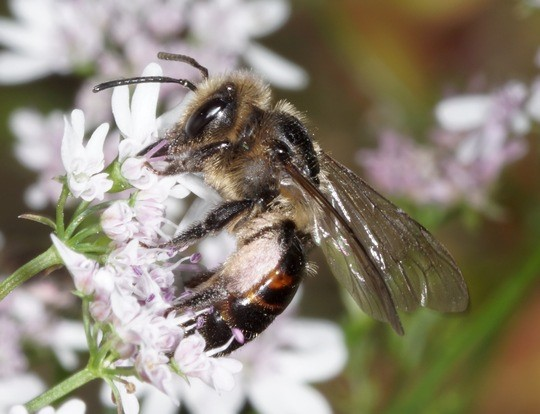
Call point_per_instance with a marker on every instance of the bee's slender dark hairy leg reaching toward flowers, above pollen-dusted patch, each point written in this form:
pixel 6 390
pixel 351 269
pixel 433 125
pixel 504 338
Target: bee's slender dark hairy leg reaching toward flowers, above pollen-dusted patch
pixel 214 222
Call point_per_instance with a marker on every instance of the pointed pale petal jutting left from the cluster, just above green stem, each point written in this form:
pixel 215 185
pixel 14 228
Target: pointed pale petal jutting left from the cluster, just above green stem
pixel 81 268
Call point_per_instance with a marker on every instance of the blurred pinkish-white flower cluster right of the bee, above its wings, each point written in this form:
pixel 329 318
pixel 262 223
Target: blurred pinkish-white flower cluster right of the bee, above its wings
pixel 477 136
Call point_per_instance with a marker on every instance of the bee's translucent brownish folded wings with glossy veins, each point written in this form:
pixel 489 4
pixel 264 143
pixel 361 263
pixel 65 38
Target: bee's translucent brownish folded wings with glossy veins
pixel 384 258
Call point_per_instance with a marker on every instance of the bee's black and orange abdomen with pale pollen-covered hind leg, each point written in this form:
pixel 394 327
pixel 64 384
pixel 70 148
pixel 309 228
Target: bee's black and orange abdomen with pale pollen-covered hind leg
pixel 244 296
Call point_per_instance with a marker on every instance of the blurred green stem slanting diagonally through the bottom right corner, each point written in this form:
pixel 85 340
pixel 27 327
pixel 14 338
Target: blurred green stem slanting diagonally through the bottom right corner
pixel 471 337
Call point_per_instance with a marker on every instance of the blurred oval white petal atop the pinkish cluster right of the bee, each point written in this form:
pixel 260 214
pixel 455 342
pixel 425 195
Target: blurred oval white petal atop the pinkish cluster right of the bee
pixel 462 113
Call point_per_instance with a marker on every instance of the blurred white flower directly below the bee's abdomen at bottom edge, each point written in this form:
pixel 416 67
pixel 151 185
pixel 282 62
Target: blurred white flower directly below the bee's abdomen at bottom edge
pixel 278 368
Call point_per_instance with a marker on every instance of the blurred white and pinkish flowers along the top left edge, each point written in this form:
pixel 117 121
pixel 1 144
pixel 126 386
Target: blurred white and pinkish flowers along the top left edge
pixel 109 38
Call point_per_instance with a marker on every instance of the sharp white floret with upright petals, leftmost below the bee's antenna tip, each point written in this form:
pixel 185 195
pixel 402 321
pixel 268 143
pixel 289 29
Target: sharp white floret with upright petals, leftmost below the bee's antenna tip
pixel 84 164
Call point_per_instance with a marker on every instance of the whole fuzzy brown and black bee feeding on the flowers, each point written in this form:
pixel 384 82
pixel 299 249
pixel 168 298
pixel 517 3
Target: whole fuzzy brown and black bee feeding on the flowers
pixel 283 195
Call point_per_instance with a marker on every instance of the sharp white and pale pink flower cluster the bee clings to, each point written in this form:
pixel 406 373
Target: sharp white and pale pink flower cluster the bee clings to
pixel 130 290
